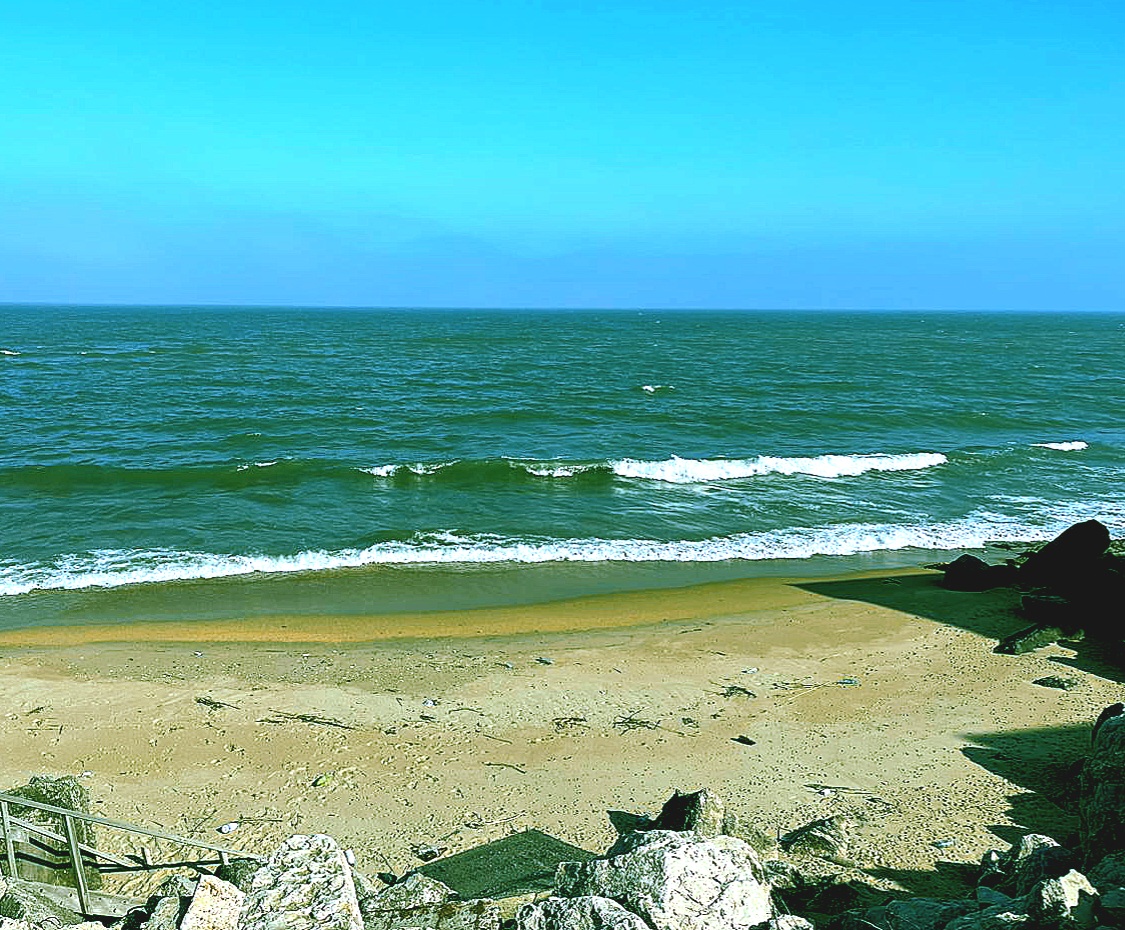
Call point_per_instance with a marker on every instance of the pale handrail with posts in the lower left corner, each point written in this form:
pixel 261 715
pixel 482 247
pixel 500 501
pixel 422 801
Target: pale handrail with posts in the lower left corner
pixel 83 856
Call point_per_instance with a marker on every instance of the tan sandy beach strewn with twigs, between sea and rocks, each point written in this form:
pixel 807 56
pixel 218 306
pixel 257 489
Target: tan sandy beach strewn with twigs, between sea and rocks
pixel 876 694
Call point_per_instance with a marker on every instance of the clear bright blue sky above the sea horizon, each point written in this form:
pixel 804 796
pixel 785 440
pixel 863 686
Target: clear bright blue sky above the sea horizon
pixel 795 154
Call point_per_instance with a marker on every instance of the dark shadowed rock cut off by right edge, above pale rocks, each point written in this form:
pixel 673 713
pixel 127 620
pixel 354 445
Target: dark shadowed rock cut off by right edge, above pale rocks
pixel 1102 792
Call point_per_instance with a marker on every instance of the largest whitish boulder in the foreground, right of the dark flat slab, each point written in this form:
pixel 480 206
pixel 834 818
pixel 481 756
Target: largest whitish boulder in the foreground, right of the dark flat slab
pixel 677 881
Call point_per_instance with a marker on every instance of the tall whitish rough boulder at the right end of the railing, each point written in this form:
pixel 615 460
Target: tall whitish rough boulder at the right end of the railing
pixel 307 884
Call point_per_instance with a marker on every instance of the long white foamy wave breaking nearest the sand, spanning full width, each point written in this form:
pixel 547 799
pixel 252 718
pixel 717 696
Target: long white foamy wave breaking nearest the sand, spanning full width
pixel 115 568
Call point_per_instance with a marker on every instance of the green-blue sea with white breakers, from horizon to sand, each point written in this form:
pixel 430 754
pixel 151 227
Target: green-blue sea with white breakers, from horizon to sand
pixel 222 463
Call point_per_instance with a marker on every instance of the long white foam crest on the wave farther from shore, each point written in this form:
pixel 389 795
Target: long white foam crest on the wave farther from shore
pixel 687 472
